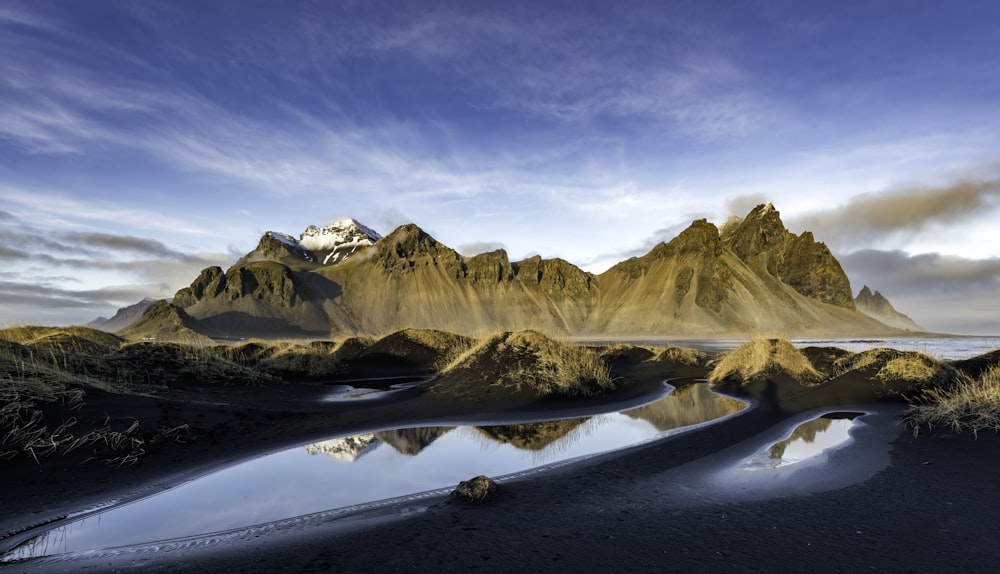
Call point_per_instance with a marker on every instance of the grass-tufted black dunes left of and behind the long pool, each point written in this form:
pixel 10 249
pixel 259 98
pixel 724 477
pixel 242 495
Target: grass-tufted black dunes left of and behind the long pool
pixel 57 383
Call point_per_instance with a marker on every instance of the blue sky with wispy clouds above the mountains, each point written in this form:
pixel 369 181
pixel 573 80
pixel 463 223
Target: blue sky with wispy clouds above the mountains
pixel 143 141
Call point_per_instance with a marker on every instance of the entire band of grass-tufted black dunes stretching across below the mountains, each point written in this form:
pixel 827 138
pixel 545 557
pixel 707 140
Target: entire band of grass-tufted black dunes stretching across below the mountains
pixel 56 381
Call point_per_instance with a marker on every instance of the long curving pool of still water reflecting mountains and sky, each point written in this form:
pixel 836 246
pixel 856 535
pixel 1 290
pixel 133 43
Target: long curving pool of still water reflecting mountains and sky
pixel 381 465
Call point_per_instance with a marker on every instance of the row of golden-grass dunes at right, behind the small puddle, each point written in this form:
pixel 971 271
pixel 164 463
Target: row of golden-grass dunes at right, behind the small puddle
pixel 956 396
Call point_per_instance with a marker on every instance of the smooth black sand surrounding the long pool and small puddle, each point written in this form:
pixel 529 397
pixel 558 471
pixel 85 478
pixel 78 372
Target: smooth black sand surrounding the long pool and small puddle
pixel 891 503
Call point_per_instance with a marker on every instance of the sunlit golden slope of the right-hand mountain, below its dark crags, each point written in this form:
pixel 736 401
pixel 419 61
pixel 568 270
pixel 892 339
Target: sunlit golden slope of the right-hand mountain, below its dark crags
pixel 696 284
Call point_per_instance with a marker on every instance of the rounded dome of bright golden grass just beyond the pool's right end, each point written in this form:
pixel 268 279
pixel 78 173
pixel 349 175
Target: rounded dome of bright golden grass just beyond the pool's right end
pixel 761 358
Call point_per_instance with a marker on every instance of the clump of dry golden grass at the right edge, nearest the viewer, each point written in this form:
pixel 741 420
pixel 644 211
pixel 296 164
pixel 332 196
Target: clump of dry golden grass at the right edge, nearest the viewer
pixel 967 405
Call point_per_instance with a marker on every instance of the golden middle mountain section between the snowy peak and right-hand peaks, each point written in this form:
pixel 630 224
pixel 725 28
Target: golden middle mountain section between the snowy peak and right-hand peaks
pixel 409 279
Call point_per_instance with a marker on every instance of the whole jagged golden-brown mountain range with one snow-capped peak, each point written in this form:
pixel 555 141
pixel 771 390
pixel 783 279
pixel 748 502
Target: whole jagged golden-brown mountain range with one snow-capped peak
pixel 750 276
